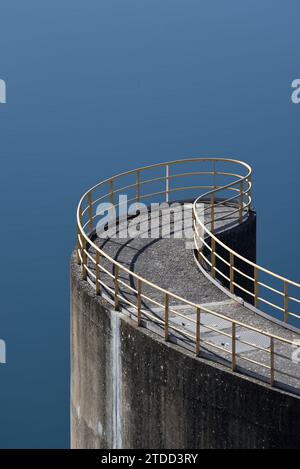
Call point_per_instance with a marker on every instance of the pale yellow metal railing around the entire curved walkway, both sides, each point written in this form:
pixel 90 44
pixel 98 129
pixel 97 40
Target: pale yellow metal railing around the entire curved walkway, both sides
pixel 214 177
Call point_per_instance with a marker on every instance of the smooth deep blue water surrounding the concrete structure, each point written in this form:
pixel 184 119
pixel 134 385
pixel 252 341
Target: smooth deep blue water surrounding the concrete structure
pixel 100 86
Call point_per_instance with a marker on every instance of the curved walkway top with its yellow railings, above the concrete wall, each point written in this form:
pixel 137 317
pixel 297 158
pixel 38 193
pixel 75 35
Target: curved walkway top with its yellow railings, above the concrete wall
pixel 158 283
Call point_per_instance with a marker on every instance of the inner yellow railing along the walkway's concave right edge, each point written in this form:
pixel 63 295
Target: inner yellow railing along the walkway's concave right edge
pixel 268 291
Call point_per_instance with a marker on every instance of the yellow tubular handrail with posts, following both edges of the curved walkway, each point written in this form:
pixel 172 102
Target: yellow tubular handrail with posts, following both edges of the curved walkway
pixel 210 239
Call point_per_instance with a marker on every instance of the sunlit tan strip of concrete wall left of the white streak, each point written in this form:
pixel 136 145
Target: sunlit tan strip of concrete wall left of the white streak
pixel 91 383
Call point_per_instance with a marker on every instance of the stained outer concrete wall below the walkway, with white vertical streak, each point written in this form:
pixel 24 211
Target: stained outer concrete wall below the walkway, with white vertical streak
pixel 132 390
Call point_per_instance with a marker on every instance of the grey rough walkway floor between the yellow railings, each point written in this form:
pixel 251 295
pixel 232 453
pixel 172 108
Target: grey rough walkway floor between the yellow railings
pixel 171 264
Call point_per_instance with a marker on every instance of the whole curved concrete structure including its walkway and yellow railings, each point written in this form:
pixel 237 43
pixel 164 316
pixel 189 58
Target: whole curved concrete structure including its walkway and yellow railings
pixel 179 338
